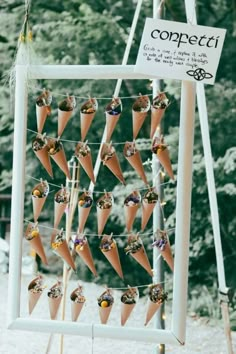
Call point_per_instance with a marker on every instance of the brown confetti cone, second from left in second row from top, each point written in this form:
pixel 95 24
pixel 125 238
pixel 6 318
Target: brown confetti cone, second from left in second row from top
pixel 57 153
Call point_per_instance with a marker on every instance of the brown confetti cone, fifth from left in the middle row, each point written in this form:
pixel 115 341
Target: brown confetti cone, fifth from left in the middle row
pixel 131 206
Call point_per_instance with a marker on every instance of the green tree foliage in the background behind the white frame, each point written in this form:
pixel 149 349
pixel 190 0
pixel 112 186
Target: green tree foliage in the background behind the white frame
pixel 79 32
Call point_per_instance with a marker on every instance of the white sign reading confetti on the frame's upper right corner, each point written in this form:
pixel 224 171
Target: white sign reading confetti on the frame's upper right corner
pixel 180 51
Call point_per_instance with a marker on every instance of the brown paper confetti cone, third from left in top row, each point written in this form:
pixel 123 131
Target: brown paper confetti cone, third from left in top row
pixel 87 113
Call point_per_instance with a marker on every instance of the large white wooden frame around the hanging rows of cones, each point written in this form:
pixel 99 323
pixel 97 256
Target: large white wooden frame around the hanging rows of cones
pixel 183 209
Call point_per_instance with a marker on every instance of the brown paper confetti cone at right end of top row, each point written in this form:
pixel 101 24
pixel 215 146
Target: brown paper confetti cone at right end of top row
pixel 159 105
